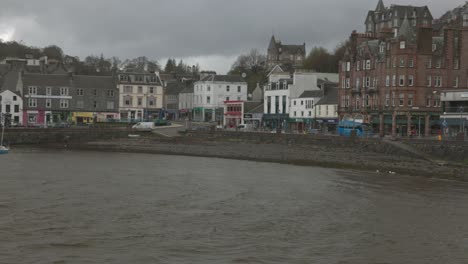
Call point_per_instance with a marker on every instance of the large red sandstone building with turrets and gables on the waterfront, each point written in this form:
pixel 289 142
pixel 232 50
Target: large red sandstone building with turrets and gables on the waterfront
pixel 392 75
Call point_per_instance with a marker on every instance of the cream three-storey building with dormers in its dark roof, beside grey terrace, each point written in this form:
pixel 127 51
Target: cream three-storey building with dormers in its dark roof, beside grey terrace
pixel 140 95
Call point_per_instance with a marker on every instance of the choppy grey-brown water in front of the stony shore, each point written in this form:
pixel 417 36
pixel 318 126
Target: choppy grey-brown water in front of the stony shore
pixel 87 207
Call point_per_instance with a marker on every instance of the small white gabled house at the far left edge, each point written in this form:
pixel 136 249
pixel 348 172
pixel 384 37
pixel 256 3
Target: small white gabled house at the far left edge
pixel 11 104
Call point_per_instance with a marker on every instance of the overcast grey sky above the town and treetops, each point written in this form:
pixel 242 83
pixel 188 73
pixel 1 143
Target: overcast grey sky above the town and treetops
pixel 212 32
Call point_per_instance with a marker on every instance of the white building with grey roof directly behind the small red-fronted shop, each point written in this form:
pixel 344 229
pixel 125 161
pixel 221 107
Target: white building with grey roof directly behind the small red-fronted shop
pixel 212 91
